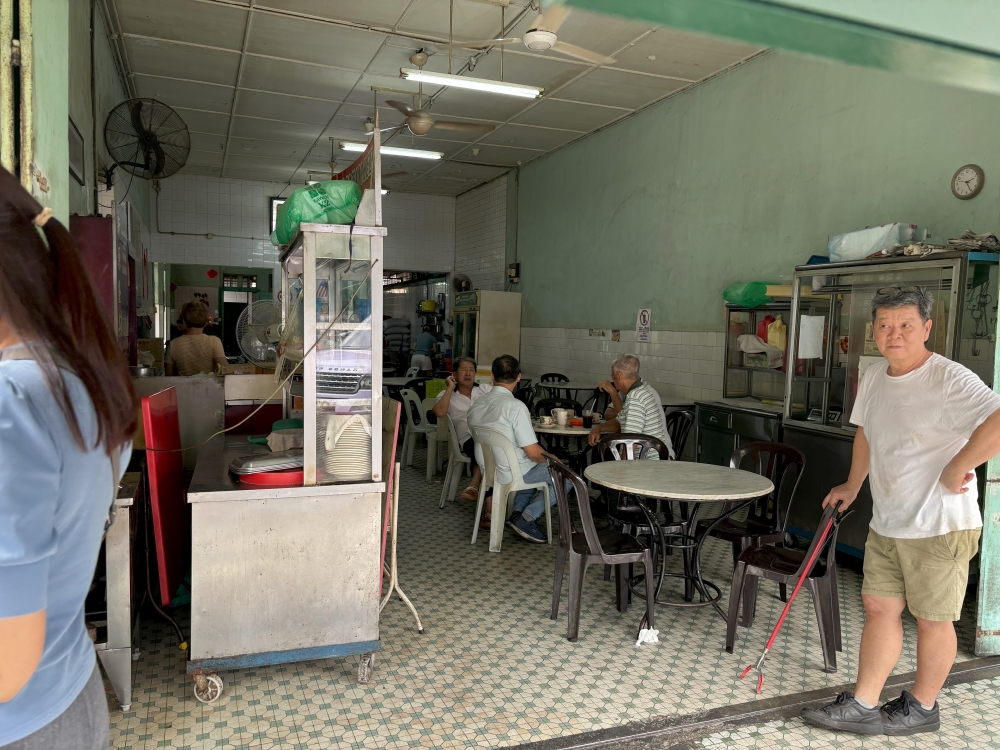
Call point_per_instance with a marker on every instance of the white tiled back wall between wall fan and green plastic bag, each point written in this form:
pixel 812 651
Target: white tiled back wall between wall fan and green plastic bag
pixel 211 205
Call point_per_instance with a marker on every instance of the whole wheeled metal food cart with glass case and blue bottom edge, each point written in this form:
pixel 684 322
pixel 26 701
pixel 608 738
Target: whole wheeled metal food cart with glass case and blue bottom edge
pixel 292 574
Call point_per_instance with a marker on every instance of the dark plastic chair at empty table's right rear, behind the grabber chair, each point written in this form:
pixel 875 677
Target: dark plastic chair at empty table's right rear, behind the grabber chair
pixel 768 515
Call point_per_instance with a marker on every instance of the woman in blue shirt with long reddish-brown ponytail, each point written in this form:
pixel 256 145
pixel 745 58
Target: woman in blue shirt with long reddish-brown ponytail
pixel 67 408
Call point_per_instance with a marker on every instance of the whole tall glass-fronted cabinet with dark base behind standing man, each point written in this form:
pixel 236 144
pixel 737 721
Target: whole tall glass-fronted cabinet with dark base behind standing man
pixel 832 339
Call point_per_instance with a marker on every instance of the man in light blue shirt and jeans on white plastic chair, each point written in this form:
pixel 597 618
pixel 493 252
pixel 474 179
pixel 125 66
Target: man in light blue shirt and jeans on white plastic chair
pixel 499 410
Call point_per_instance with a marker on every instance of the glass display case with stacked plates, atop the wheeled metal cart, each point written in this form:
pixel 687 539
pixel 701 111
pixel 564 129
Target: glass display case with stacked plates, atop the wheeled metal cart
pixel 332 294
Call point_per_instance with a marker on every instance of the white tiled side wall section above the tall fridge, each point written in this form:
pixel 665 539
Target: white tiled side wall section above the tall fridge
pixel 481 234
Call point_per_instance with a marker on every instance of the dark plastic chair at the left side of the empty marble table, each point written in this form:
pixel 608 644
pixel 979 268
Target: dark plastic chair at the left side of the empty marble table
pixel 587 547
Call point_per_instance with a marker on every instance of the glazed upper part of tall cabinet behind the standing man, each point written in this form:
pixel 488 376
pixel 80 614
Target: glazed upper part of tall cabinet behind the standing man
pixel 832 335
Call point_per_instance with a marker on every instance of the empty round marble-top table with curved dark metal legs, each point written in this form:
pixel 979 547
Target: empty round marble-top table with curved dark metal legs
pixel 689 483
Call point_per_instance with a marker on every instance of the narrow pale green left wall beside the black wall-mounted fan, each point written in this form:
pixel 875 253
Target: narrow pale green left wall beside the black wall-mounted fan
pixel 109 93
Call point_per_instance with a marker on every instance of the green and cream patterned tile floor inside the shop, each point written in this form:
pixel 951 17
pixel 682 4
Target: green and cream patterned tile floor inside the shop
pixel 492 669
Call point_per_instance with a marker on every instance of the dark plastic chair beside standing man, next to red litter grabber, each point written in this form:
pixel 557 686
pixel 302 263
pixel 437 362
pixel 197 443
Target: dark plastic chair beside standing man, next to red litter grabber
pixel 786 566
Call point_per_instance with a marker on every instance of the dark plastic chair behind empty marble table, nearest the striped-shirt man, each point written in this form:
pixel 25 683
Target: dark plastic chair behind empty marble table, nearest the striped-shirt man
pixel 628 515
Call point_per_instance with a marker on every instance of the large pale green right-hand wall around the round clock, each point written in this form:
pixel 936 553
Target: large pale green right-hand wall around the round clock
pixel 740 179
